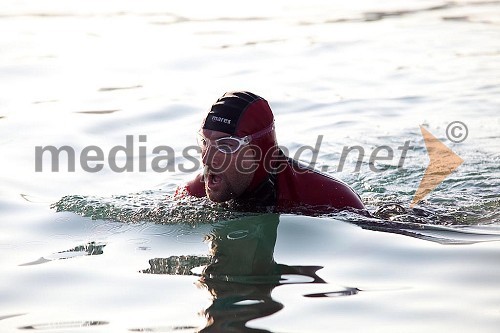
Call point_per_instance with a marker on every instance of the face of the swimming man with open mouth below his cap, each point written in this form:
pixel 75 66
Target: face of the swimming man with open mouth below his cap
pixel 226 176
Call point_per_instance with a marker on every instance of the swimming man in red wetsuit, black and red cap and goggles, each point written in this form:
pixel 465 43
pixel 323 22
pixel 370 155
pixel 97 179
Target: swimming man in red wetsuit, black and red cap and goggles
pixel 244 166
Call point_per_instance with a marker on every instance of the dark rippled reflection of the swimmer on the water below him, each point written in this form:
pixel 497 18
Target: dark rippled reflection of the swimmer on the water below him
pixel 241 273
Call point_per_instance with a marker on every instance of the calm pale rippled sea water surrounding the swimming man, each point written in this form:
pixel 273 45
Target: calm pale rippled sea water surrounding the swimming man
pixel 107 251
